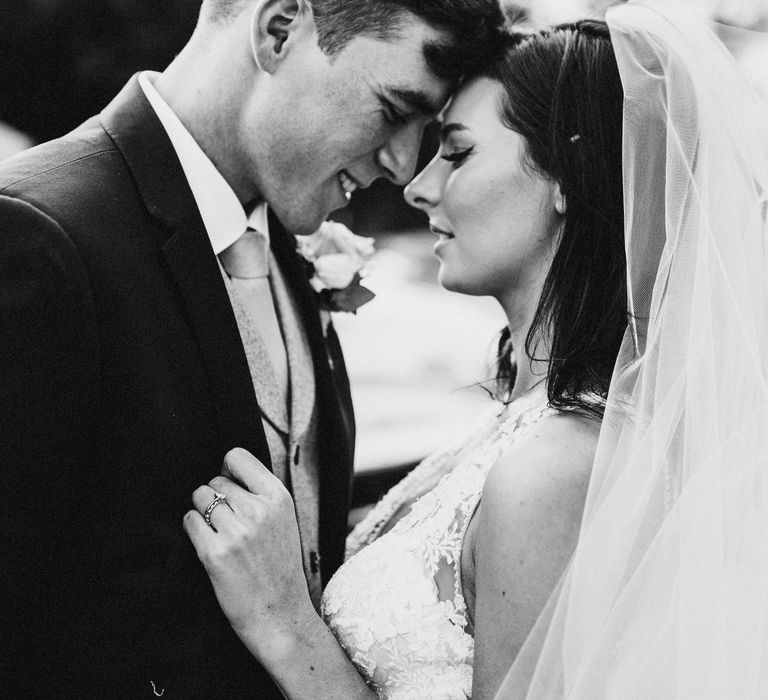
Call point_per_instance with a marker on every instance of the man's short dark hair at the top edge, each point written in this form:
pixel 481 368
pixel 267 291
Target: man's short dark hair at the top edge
pixel 472 28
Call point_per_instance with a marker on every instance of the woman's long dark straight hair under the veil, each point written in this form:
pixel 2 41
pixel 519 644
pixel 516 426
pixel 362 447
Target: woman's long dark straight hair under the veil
pixel 563 94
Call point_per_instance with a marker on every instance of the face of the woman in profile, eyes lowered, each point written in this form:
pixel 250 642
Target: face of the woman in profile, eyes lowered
pixel 496 218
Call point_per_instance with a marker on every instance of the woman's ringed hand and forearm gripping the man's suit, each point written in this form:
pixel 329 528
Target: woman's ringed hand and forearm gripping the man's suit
pixel 253 558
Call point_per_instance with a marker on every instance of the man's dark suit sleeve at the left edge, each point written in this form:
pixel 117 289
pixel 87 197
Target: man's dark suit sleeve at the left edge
pixel 48 375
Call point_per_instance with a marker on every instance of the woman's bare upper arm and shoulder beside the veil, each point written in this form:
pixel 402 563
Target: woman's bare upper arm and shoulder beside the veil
pixel 522 537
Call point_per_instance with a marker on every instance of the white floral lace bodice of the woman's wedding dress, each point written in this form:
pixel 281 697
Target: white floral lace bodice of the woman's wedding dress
pixel 397 605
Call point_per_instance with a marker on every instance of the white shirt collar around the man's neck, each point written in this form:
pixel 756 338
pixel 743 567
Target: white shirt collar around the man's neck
pixel 222 214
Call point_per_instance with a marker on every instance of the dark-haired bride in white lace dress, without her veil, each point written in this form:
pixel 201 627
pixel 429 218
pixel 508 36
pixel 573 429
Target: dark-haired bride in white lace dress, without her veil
pixel 450 570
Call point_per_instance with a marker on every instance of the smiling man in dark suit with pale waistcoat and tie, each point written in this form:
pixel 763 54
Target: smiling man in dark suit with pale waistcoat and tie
pixel 137 346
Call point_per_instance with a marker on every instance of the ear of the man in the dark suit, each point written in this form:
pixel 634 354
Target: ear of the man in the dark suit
pixel 275 27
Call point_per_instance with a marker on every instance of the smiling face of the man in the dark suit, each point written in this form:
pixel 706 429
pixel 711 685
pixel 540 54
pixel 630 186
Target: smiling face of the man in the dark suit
pixel 338 123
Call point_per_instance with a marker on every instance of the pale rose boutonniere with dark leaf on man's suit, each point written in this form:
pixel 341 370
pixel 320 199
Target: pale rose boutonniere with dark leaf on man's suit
pixel 337 260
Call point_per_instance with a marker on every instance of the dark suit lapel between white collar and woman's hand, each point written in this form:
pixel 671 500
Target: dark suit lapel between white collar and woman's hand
pixel 140 137
